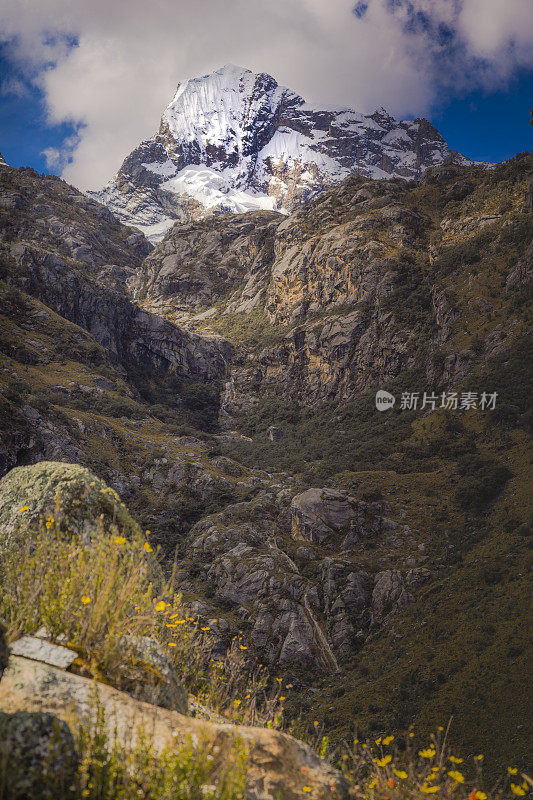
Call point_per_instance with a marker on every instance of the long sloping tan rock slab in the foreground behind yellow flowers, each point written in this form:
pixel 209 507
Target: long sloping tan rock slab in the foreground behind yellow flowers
pixel 280 766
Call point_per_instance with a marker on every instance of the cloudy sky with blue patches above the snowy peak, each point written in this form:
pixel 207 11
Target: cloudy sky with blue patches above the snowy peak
pixel 130 54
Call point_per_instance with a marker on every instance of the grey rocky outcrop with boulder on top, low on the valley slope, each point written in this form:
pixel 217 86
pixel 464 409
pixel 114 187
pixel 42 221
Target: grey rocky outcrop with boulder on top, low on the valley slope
pixel 296 603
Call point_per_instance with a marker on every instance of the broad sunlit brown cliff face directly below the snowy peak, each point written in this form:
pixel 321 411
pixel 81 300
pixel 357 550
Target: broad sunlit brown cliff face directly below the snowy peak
pixel 356 288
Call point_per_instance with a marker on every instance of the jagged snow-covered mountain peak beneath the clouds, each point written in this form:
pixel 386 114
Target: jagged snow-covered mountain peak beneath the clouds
pixel 234 141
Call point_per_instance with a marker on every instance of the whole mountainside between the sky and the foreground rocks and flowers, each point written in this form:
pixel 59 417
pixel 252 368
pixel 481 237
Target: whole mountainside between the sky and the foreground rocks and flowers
pixel 223 383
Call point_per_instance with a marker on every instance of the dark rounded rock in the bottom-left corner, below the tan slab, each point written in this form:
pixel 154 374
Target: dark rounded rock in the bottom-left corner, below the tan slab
pixel 38 755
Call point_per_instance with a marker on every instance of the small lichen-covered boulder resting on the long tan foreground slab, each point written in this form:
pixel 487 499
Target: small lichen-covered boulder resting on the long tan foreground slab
pixel 146 673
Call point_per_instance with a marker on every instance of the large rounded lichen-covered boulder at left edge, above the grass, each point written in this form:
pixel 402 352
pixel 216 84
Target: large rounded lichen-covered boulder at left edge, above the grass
pixel 76 498
